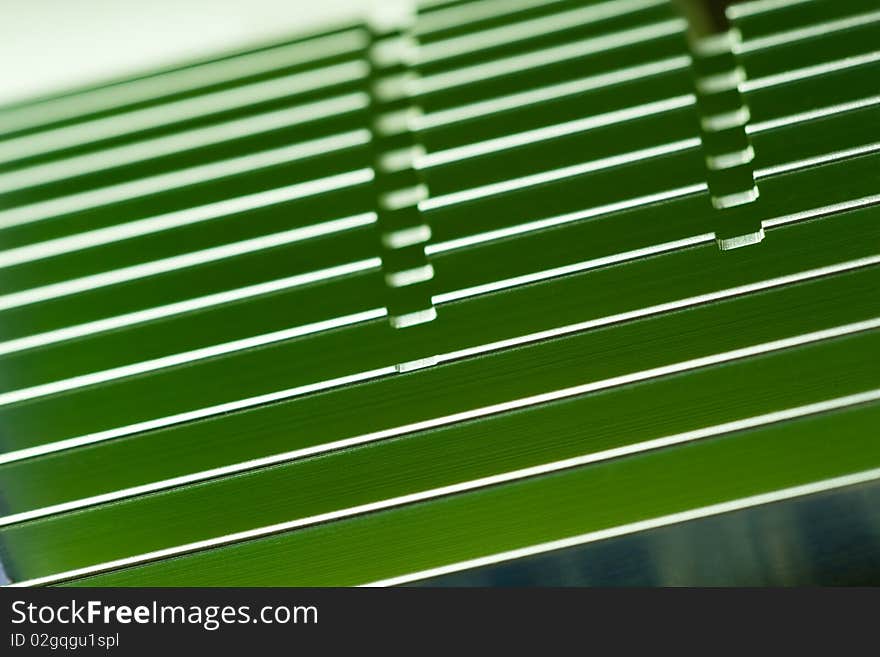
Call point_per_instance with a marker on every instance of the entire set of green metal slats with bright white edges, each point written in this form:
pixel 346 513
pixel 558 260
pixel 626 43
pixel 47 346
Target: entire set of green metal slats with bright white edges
pixel 592 261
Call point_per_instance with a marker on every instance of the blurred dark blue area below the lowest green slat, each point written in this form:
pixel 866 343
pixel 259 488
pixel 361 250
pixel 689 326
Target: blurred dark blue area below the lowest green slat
pixel 830 539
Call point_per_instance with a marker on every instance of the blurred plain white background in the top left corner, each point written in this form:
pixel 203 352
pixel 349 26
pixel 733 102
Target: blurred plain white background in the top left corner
pixel 49 46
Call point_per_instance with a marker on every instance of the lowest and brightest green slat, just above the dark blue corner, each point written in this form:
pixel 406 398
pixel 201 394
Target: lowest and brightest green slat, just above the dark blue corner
pixel 377 546
